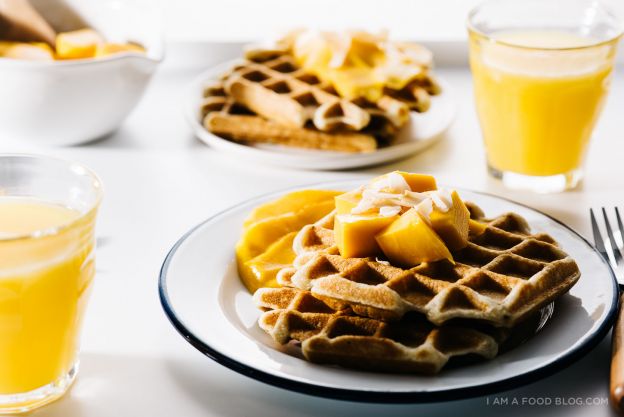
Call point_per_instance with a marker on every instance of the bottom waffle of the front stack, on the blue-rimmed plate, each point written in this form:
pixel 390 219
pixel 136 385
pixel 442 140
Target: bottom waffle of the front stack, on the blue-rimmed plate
pixel 411 345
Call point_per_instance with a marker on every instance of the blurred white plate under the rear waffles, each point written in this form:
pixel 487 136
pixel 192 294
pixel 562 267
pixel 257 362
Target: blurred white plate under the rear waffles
pixel 422 130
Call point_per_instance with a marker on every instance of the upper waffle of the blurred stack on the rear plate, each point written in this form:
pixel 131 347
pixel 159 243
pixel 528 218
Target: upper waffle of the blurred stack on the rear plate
pixel 272 85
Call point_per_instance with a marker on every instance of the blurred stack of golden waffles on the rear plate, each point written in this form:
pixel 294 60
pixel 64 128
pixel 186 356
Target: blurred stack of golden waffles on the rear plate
pixel 267 98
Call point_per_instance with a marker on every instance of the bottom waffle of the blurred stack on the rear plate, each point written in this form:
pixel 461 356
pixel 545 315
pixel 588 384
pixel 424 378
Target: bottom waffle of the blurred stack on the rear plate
pixel 224 117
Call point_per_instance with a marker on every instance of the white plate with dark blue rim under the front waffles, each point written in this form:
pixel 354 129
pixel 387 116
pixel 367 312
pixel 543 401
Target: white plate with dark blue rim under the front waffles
pixel 206 302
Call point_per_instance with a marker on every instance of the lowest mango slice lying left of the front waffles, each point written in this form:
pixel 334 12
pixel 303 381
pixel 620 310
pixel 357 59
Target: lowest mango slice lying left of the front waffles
pixel 262 270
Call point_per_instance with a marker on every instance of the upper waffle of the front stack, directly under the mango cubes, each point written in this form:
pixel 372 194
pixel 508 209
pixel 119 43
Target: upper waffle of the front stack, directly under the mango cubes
pixel 504 275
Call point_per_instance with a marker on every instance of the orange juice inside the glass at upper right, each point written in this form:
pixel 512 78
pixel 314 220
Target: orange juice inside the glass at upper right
pixel 538 96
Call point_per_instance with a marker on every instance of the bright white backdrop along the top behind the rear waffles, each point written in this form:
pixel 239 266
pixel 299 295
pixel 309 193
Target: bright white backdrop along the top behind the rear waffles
pixel 244 20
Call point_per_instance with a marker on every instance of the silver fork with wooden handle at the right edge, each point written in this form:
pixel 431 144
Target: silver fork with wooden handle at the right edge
pixel 612 249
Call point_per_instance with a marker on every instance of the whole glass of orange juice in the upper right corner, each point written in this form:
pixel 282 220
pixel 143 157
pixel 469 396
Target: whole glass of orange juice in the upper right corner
pixel 541 72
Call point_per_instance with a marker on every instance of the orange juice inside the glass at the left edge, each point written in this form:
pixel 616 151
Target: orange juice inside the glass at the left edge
pixel 46 269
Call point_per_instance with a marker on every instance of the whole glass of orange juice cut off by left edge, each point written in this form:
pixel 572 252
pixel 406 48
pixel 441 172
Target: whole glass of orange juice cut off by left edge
pixel 47 217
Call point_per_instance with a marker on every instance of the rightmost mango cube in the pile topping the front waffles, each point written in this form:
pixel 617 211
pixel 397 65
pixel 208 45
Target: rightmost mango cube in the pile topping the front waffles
pixel 452 225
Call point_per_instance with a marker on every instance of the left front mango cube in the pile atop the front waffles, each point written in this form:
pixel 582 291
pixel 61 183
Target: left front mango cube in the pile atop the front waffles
pixel 355 234
